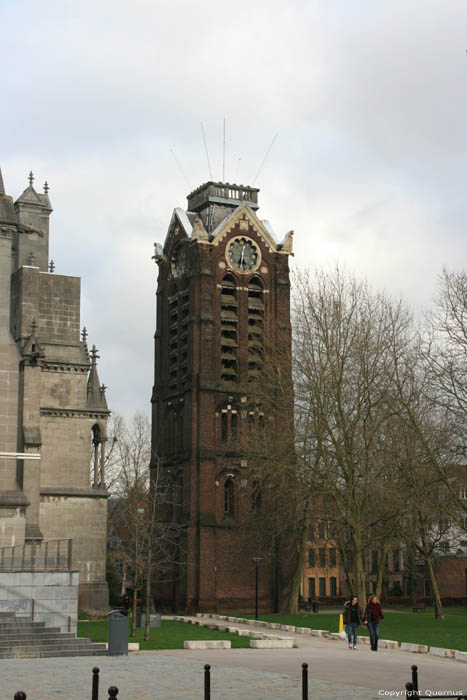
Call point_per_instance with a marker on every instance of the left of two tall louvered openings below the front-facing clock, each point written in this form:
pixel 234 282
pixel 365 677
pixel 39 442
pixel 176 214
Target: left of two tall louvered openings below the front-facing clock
pixel 229 330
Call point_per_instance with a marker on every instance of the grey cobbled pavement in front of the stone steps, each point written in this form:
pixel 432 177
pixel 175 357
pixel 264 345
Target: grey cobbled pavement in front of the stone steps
pixel 153 676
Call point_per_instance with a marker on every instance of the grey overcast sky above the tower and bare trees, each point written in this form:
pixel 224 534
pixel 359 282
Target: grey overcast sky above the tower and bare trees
pixel 368 98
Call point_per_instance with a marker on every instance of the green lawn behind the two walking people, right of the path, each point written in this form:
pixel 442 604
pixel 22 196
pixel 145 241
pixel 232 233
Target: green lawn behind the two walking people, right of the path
pixel 419 628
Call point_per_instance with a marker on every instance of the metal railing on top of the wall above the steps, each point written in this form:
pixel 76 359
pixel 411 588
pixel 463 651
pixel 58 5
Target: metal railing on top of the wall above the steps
pixel 49 555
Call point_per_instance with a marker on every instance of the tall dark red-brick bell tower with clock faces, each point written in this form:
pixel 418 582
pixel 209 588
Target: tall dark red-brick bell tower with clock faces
pixel 223 302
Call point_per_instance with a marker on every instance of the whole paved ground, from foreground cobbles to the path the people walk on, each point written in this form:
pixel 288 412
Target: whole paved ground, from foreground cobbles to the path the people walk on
pixel 249 674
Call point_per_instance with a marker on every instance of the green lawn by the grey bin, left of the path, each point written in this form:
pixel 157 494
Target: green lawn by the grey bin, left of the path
pixel 170 635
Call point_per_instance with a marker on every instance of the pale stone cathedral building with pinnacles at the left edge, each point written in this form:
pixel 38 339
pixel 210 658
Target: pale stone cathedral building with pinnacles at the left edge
pixel 53 411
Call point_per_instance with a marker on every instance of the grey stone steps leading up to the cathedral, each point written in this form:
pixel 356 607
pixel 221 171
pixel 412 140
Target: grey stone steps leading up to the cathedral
pixel 20 638
